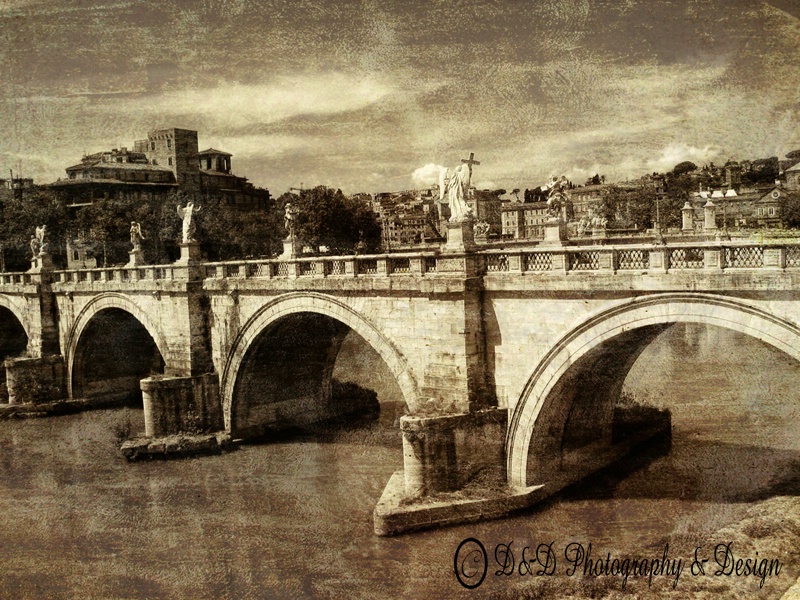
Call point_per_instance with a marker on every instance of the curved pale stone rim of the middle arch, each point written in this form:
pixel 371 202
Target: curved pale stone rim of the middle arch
pixel 295 304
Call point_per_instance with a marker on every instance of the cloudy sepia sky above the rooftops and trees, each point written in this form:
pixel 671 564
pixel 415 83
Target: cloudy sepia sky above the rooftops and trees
pixel 372 95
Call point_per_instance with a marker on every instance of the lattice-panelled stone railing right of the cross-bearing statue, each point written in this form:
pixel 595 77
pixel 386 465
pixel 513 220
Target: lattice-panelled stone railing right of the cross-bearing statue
pixel 715 256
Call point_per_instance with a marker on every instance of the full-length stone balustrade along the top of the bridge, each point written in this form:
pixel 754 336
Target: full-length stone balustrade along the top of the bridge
pixel 627 258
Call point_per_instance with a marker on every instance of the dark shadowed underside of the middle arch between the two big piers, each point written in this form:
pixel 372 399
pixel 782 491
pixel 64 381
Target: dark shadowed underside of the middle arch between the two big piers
pixel 286 378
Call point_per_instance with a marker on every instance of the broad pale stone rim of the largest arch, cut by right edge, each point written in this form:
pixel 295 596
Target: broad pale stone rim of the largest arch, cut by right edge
pixel 627 328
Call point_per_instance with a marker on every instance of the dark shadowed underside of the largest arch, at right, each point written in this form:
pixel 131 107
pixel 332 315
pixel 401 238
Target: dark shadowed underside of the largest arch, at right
pixel 583 427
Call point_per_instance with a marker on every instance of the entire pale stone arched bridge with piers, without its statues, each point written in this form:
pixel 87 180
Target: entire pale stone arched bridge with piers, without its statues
pixel 510 361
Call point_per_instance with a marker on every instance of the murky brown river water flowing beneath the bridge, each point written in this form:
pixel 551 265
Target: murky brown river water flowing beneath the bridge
pixel 293 518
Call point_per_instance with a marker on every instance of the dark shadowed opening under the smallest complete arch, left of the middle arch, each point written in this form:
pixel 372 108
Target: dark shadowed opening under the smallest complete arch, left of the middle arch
pixel 114 353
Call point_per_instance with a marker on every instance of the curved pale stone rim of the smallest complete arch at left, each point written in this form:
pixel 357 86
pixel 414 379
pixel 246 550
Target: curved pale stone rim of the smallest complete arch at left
pixel 106 302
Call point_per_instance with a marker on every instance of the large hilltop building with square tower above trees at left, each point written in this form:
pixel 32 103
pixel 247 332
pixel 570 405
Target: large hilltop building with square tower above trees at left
pixel 168 162
